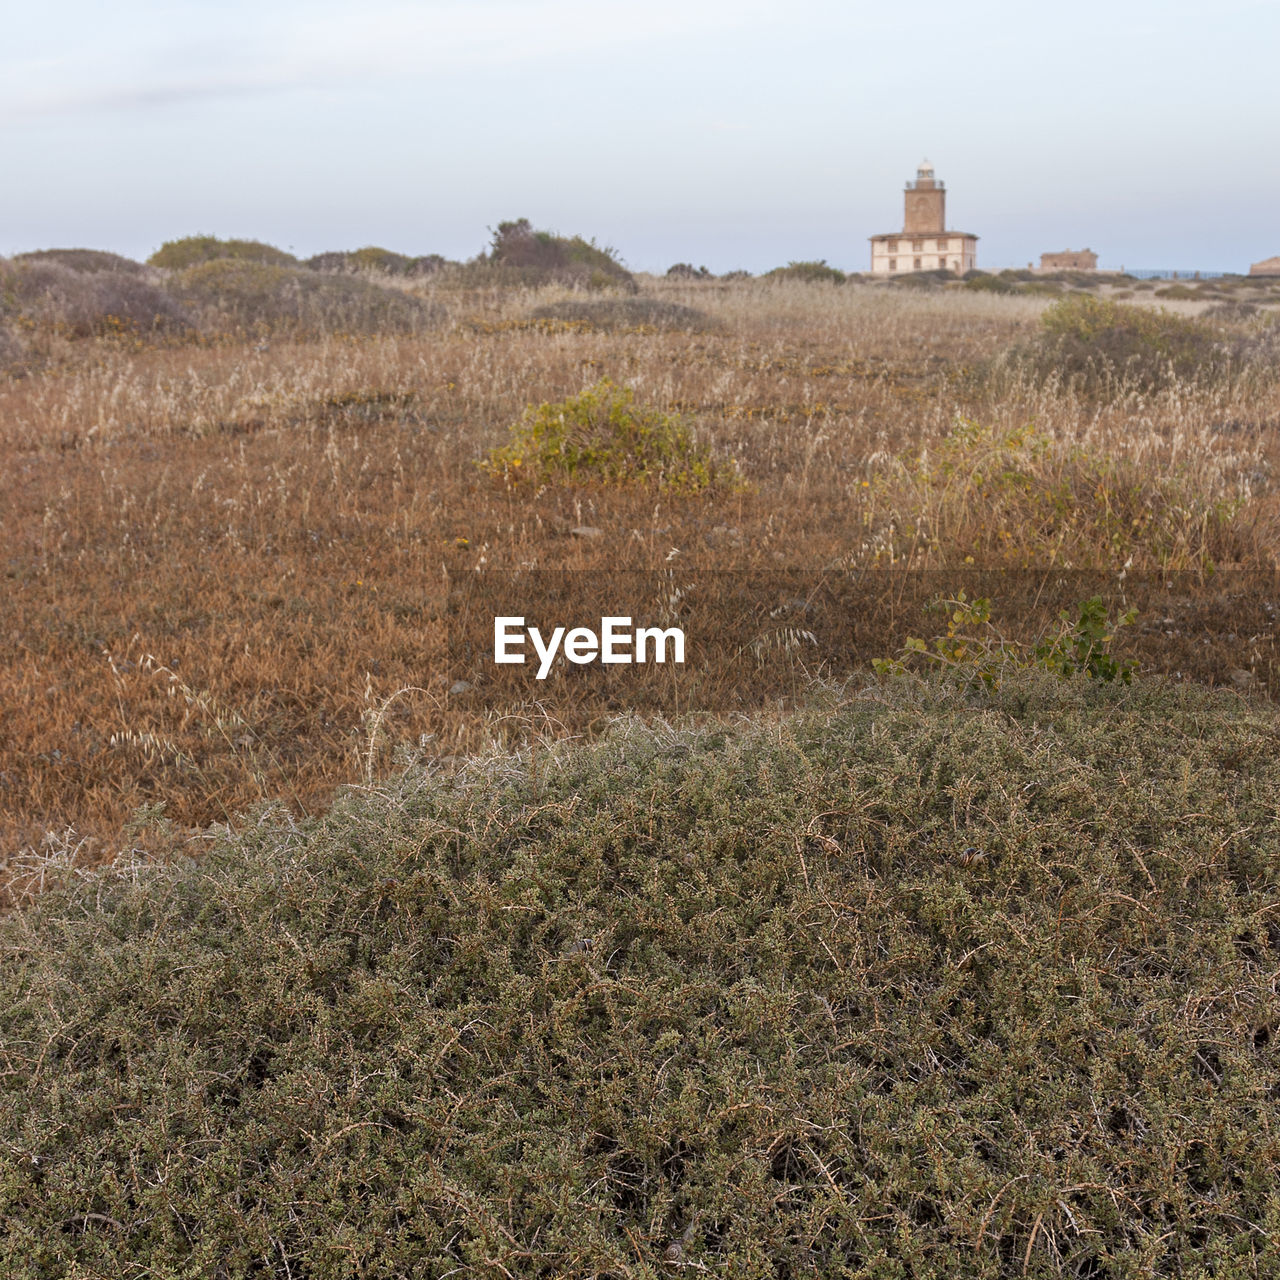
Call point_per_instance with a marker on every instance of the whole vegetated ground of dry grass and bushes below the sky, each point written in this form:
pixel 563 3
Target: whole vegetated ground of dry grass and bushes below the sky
pixel 958 961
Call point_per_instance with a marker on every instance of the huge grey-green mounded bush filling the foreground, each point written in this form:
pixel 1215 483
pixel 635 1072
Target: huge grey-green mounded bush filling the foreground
pixel 911 985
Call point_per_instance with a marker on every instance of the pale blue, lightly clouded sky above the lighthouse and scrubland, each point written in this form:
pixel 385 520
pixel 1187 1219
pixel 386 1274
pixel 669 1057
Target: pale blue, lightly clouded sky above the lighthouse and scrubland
pixel 729 134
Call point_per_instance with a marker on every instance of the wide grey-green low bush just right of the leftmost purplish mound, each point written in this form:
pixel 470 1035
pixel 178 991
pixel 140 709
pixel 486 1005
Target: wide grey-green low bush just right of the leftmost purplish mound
pixel 258 299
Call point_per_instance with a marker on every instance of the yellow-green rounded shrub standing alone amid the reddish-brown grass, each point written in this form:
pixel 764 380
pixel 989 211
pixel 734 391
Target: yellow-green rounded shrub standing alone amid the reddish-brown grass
pixel 600 437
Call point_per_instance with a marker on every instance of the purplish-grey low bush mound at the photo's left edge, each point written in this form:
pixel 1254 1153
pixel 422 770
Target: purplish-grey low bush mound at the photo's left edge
pixel 48 295
